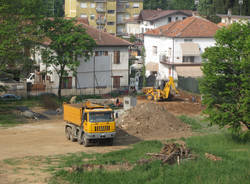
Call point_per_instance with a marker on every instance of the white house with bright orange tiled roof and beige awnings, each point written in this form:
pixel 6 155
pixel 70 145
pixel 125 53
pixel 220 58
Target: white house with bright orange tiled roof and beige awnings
pixel 175 49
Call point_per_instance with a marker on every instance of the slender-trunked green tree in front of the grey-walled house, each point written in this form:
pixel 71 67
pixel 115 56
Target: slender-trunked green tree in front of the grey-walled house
pixel 68 42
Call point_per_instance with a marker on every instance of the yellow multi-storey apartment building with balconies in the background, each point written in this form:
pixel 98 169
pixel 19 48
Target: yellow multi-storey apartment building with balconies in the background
pixel 109 15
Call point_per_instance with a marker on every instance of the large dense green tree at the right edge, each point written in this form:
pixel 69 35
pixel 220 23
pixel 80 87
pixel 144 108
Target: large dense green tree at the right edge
pixel 225 85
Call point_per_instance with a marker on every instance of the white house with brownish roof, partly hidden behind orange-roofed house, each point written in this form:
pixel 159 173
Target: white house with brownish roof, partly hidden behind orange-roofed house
pixel 151 19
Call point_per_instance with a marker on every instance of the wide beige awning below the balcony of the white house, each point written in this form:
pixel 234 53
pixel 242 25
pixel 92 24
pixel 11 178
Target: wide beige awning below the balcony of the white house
pixel 189 71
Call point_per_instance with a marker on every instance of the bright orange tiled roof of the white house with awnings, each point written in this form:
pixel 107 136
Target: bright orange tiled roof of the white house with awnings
pixel 193 27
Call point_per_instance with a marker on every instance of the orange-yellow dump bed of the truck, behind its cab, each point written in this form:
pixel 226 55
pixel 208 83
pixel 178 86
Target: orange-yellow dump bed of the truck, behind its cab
pixel 73 113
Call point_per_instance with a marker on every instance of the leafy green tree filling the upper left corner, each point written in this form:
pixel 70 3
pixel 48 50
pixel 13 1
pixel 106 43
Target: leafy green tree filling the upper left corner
pixel 18 30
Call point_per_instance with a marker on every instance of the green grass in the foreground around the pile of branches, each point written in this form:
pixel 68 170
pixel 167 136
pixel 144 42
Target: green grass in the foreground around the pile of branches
pixel 234 167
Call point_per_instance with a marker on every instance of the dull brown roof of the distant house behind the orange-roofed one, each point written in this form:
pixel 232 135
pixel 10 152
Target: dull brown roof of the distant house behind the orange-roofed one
pixel 152 15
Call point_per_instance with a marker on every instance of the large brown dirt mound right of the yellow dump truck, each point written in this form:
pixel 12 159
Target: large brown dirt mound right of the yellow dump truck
pixel 152 121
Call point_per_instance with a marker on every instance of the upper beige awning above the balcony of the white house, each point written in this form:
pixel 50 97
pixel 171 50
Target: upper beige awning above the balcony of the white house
pixel 190 49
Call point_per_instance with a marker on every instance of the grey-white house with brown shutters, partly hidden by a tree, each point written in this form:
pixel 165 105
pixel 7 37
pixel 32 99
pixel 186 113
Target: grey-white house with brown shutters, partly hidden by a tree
pixel 107 70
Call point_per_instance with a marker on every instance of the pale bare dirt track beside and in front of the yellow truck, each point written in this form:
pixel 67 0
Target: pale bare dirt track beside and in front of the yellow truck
pixel 44 138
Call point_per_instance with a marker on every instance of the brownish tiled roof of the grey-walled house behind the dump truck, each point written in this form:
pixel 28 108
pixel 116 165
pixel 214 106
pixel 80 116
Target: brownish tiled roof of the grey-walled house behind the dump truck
pixel 103 38
